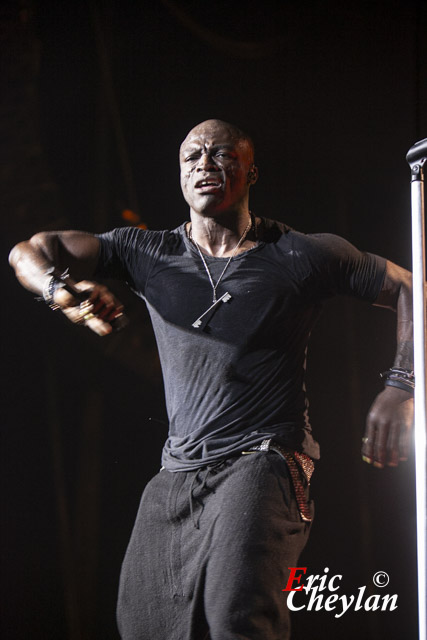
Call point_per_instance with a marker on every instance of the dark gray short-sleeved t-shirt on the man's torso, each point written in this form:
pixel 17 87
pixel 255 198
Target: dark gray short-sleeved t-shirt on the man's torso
pixel 240 379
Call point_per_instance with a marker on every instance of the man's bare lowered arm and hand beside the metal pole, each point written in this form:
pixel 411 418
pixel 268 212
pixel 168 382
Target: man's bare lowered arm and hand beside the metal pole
pixel 391 416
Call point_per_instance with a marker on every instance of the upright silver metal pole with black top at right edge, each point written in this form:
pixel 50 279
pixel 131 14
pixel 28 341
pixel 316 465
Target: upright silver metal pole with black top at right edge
pixel 417 158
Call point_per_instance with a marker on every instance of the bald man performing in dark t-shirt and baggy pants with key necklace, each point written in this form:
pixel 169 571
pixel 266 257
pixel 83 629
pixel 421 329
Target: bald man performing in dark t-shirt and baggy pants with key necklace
pixel 233 299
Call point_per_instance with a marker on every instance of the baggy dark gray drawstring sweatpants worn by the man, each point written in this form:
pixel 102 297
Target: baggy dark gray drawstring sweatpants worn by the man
pixel 209 554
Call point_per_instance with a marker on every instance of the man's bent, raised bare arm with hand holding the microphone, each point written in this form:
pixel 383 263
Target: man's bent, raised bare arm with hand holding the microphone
pixel 76 252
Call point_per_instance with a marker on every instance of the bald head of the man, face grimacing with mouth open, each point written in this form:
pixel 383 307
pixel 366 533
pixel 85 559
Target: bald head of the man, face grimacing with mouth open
pixel 214 169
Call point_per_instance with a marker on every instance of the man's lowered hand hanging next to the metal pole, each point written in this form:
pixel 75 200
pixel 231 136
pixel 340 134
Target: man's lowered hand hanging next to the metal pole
pixel 388 428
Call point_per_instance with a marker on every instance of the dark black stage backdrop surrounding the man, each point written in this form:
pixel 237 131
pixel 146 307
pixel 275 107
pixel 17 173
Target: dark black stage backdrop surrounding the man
pixel 96 98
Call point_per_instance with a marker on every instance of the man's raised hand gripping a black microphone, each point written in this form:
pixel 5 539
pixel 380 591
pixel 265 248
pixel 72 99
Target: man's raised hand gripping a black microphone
pixel 96 312
